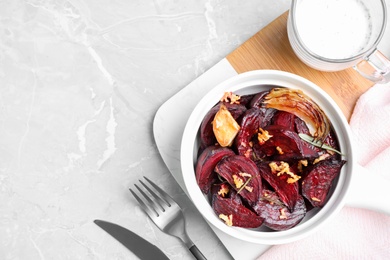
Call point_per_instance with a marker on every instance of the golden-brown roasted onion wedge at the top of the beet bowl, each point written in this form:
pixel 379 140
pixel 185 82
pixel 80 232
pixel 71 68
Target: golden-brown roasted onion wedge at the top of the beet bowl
pixel 296 102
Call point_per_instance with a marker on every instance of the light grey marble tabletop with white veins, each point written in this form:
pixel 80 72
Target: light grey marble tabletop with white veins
pixel 80 83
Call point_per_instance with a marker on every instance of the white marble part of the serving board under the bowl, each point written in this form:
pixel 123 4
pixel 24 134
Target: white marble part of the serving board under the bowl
pixel 168 128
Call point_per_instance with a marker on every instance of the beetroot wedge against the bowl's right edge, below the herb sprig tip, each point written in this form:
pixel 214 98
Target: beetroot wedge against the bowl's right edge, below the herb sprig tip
pixel 316 184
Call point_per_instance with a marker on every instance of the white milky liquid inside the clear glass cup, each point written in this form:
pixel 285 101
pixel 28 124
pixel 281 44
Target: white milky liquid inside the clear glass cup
pixel 334 29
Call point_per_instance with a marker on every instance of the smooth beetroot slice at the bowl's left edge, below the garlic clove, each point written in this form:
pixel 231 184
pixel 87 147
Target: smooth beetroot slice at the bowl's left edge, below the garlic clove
pixel 206 163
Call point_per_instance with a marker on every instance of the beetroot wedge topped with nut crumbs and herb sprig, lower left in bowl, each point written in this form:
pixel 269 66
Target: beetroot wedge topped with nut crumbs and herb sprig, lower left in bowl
pixel 243 175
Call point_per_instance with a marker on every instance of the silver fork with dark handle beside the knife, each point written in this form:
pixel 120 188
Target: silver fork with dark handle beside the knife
pixel 165 213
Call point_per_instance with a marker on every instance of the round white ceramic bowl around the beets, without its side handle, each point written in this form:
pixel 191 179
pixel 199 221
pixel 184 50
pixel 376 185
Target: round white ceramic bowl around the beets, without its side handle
pixel 249 83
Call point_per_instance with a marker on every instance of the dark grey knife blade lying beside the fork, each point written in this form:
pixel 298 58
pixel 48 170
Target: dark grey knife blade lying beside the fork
pixel 136 244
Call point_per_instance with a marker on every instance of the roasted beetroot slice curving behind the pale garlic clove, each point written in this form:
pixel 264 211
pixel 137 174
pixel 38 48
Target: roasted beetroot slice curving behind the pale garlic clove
pixel 207 137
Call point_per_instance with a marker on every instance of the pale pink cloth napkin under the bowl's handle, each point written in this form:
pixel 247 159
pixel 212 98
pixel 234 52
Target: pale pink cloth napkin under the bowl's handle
pixel 355 233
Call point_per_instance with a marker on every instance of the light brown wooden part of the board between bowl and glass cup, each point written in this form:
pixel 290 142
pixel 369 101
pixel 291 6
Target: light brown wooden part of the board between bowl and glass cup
pixel 270 49
